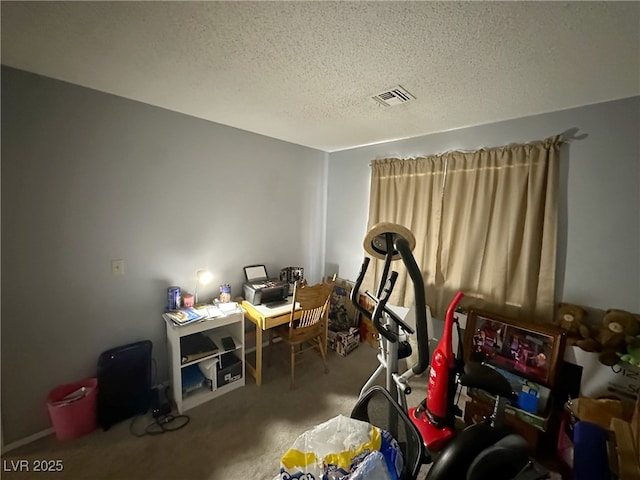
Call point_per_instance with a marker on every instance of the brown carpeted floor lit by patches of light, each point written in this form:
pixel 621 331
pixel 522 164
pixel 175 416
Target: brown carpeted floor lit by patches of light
pixel 241 435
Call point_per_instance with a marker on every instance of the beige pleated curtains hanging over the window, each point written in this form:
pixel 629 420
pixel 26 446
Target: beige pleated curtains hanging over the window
pixel 485 223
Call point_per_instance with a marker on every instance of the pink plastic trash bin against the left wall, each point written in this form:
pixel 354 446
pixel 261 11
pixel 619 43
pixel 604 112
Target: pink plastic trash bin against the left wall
pixel 72 408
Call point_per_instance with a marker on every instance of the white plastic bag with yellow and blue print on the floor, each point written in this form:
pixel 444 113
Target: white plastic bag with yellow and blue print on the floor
pixel 334 449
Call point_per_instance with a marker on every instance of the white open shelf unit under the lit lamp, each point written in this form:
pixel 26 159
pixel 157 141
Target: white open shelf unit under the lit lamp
pixel 231 325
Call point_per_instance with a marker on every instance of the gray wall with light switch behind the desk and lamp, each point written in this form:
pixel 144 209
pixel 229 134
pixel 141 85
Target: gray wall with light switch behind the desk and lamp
pixel 88 177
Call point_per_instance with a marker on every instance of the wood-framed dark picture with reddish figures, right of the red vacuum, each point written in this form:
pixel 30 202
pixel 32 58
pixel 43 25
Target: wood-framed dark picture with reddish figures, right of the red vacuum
pixel 531 351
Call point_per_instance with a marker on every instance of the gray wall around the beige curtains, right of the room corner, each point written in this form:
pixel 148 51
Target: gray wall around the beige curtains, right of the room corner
pixel 599 230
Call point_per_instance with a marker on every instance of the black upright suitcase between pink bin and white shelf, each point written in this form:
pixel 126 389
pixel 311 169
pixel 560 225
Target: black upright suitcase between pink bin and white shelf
pixel 124 383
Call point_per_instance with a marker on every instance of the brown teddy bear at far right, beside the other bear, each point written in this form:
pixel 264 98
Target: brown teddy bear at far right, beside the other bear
pixel 619 328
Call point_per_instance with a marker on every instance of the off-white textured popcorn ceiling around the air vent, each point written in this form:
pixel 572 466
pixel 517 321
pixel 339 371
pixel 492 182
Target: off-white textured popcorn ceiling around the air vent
pixel 305 72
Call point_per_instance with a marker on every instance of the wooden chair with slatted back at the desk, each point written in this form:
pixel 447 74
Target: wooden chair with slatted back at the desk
pixel 307 327
